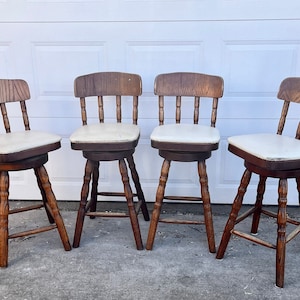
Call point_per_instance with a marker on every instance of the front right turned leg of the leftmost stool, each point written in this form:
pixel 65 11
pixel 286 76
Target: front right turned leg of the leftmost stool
pixel 51 200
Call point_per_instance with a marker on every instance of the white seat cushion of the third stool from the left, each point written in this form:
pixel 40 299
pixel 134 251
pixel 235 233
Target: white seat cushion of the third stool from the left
pixel 185 134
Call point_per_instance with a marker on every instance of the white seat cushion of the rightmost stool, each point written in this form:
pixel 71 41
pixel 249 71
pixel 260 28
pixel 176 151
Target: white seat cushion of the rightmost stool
pixel 269 147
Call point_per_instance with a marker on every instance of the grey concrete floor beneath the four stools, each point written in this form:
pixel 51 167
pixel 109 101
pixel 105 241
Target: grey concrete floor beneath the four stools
pixel 107 265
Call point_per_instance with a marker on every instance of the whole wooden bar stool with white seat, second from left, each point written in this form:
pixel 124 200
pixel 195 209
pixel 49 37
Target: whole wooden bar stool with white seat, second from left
pixel 109 141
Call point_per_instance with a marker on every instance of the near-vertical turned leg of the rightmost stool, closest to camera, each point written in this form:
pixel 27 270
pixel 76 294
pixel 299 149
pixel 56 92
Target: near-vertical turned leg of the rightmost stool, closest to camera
pixel 281 232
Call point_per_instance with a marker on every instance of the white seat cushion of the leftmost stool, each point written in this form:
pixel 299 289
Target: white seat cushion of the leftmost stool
pixel 15 142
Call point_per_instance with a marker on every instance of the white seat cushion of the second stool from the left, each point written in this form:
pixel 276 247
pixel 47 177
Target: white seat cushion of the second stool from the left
pixel 106 133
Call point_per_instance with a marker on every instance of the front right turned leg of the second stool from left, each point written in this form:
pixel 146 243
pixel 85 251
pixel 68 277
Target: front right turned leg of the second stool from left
pixel 131 209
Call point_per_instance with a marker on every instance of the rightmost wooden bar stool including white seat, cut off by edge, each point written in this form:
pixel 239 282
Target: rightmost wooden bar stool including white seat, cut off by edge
pixel 268 155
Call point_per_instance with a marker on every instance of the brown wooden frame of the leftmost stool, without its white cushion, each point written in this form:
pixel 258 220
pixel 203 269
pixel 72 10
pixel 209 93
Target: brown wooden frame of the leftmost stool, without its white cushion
pixel 31 158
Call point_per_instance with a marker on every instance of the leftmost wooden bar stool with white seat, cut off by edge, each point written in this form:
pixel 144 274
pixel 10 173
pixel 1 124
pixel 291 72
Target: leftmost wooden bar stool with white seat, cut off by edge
pixel 22 150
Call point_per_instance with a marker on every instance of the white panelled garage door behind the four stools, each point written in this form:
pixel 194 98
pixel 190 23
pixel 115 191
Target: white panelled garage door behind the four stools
pixel 252 44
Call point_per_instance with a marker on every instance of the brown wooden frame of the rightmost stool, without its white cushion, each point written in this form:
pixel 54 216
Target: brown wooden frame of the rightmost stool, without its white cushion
pixel 289 91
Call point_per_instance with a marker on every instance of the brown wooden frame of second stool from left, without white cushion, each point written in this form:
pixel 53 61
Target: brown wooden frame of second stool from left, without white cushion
pixel 100 85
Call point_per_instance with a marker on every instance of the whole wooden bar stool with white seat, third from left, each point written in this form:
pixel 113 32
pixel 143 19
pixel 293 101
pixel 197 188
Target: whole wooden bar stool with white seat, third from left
pixel 185 142
